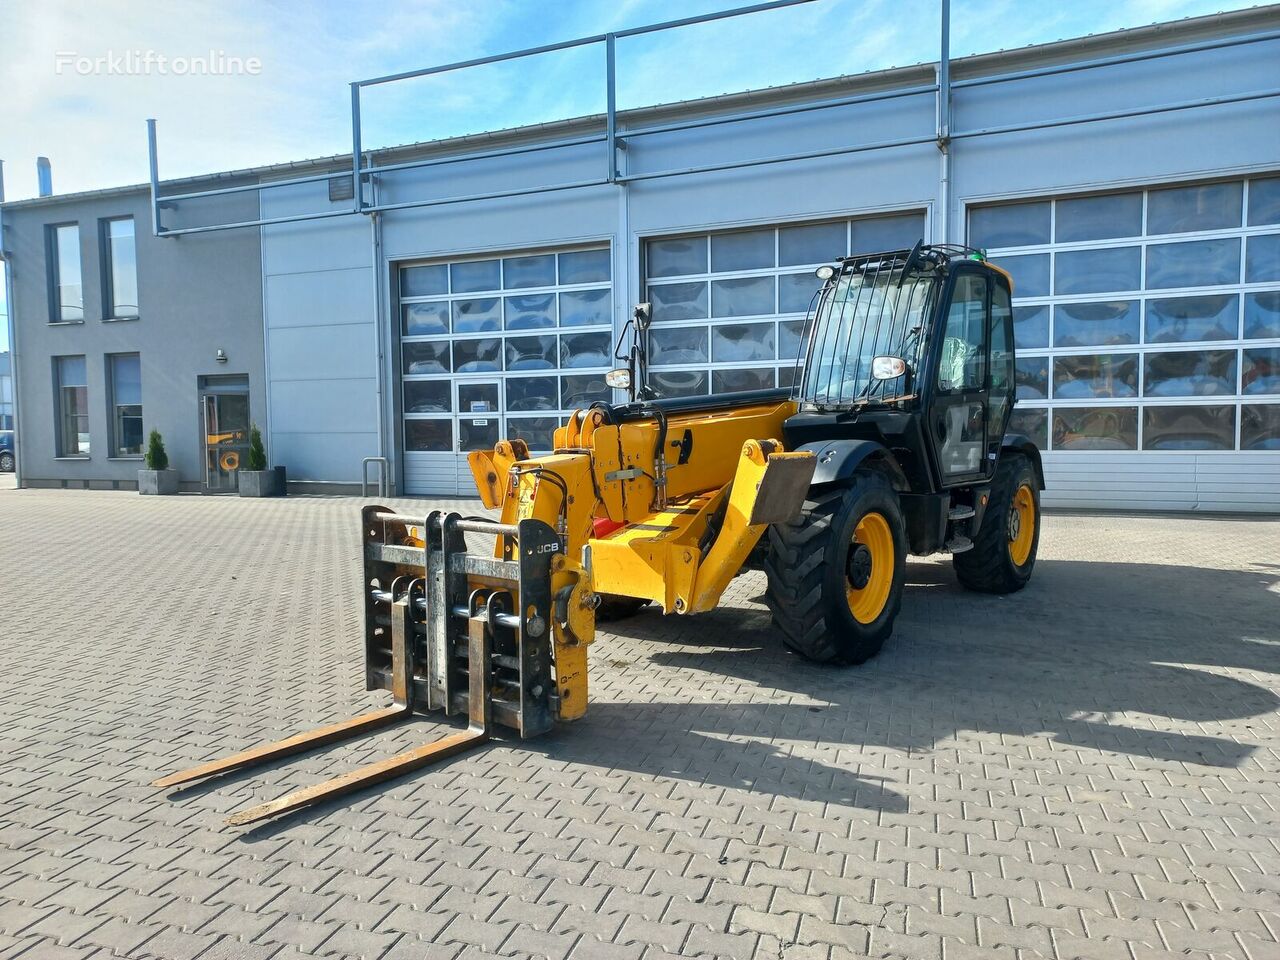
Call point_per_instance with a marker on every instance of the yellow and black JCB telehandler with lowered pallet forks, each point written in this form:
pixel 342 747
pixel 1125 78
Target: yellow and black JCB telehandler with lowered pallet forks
pixel 893 442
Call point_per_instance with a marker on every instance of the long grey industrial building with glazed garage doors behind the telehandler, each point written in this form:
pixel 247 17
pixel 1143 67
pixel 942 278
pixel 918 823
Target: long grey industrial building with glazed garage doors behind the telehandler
pixel 473 289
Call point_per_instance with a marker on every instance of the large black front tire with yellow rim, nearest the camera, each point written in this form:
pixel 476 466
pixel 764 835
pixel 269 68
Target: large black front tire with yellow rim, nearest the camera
pixel 808 568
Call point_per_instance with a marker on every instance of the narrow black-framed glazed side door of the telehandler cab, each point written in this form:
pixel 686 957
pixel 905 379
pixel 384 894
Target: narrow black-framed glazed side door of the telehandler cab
pixel 958 417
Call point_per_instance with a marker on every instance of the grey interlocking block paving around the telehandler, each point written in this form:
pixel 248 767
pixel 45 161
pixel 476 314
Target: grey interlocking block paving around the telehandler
pixel 1090 769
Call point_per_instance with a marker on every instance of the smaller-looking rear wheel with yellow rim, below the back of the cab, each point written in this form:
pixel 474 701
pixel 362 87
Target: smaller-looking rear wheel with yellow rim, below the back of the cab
pixel 991 566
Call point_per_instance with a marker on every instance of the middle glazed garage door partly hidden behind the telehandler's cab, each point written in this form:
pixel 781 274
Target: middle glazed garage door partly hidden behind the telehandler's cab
pixel 729 309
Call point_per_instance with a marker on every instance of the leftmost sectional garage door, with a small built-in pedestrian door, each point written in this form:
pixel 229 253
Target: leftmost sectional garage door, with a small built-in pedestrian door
pixel 495 348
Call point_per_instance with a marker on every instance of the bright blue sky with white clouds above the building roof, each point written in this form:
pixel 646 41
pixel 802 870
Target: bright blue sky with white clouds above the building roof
pixel 298 106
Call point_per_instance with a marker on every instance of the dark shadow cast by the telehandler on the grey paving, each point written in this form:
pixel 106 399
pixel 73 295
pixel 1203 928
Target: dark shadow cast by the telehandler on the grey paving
pixel 1153 641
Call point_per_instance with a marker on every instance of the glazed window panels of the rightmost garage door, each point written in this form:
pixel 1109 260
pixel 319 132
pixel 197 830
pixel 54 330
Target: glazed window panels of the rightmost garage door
pixel 1145 321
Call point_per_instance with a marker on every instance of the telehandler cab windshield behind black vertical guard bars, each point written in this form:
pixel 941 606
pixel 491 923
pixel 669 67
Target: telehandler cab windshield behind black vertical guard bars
pixel 865 314
